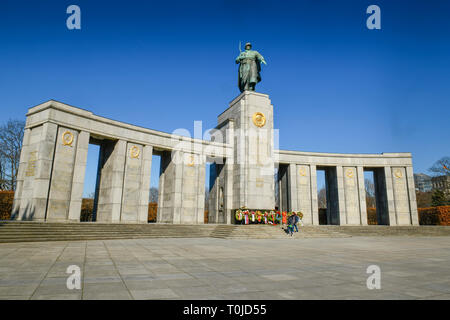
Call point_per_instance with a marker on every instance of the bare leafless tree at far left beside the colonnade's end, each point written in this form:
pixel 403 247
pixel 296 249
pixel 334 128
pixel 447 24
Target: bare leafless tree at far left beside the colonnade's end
pixel 11 137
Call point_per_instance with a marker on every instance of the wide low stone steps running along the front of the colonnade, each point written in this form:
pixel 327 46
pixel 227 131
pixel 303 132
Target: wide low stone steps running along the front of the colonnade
pixel 15 231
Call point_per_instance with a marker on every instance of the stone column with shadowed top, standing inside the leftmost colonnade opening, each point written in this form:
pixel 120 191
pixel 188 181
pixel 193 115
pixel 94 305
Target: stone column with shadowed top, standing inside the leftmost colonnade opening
pixel 111 181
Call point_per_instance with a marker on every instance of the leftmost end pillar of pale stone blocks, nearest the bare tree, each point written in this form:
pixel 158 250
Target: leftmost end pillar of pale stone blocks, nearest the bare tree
pixel 38 168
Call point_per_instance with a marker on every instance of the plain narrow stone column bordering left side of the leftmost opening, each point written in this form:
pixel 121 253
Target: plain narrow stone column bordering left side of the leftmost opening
pixel 79 172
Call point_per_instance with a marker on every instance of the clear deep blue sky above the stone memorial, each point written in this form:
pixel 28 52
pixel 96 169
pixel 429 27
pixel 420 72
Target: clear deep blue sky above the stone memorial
pixel 335 85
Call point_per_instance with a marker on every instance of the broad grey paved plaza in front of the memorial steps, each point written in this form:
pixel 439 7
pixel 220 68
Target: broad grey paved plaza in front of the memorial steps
pixel 315 268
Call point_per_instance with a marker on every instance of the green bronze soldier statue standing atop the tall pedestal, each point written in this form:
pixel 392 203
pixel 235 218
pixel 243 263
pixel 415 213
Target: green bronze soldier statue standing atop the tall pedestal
pixel 249 68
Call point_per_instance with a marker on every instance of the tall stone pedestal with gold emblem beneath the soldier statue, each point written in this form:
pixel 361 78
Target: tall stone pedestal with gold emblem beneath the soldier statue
pixel 254 158
